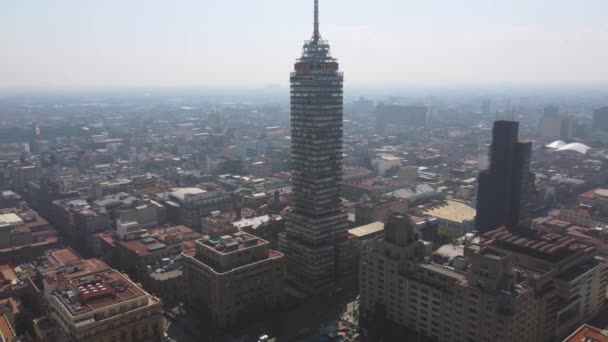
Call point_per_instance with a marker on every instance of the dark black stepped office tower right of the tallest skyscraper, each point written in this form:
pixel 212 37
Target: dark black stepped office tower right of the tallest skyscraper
pixel 504 195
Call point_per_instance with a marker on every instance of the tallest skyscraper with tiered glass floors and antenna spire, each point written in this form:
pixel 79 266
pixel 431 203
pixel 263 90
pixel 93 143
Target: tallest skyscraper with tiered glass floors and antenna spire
pixel 318 222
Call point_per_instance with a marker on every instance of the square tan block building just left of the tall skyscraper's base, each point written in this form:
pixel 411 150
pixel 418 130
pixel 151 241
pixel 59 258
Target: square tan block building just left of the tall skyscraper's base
pixel 233 277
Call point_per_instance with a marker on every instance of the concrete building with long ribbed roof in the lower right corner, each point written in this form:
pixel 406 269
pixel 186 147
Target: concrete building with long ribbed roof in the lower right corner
pixel 569 280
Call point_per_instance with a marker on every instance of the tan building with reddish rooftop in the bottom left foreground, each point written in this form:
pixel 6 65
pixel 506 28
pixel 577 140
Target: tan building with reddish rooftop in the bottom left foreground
pixel 88 301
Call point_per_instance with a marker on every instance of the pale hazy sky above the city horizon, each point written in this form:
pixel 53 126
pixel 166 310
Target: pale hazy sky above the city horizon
pixel 87 43
